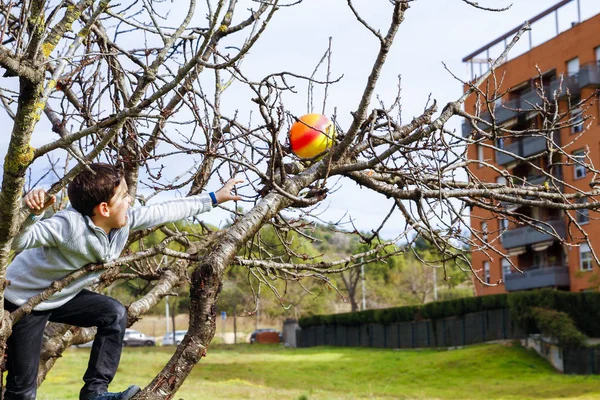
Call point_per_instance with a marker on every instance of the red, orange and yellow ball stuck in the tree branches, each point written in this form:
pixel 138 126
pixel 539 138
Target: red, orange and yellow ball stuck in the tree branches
pixel 311 135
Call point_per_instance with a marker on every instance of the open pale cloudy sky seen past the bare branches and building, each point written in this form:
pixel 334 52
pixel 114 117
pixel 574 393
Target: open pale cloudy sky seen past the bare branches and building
pixel 434 32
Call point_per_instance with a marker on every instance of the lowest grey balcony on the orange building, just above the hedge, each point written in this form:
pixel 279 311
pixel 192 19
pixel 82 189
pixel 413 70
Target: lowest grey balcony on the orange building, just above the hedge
pixel 537 277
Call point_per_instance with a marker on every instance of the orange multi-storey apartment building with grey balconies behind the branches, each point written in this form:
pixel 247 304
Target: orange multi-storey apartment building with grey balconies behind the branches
pixel 573 54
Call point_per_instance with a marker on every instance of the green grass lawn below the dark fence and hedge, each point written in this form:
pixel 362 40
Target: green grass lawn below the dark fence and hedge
pixel 490 371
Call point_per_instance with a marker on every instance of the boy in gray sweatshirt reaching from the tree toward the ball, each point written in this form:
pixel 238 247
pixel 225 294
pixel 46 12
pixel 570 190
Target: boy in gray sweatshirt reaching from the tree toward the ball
pixel 94 230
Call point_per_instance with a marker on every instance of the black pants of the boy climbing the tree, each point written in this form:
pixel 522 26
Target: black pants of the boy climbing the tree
pixel 87 309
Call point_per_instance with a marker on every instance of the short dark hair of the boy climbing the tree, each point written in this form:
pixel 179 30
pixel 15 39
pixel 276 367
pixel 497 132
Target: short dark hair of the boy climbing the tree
pixel 89 189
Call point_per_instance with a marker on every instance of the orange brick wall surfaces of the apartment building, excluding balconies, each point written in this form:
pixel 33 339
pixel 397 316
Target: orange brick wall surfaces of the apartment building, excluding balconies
pixel 579 41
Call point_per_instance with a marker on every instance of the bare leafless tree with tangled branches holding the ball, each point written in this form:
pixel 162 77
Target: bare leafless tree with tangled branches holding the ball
pixel 82 67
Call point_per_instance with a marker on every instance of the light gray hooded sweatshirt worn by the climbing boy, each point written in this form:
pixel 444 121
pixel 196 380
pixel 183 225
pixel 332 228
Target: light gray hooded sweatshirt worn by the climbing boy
pixel 56 246
